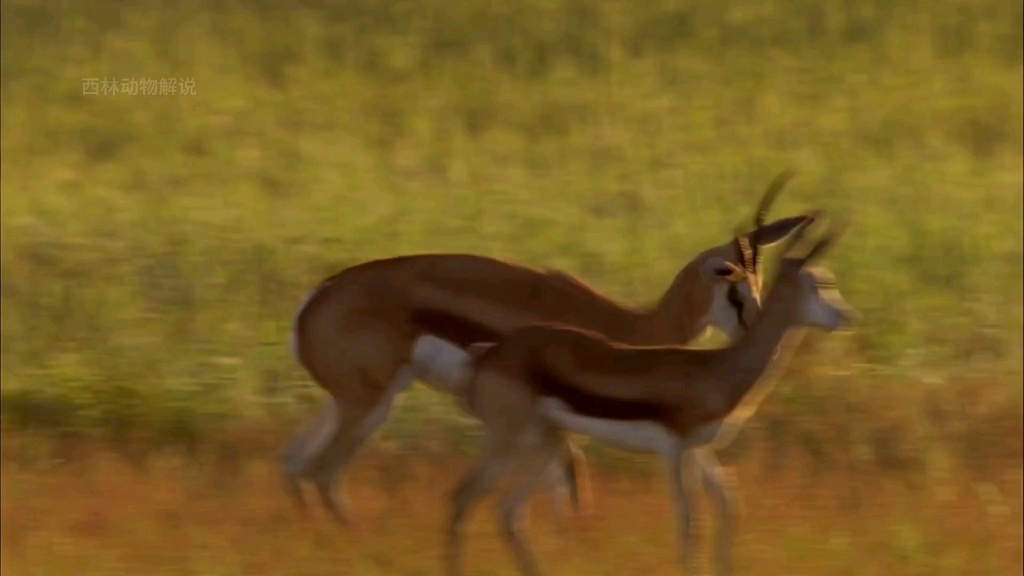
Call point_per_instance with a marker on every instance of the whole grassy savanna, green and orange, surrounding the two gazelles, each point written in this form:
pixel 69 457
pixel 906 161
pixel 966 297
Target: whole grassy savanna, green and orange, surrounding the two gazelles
pixel 155 249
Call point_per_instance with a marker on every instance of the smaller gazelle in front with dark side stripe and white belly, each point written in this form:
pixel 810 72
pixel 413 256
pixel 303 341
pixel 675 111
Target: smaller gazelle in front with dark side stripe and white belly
pixel 542 380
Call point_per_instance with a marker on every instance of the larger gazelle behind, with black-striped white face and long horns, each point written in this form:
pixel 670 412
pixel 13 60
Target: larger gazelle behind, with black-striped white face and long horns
pixel 368 333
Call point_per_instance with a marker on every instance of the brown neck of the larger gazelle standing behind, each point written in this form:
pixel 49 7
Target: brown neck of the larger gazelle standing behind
pixel 681 314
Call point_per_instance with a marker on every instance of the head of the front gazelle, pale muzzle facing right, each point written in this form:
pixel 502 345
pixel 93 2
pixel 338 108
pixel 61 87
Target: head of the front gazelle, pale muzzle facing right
pixel 808 293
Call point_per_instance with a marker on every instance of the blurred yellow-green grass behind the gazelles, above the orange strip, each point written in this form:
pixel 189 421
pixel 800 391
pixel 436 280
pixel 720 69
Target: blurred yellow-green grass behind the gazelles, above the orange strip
pixel 156 248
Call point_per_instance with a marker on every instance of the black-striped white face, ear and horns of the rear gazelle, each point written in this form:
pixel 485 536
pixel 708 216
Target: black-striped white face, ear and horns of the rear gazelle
pixel 734 270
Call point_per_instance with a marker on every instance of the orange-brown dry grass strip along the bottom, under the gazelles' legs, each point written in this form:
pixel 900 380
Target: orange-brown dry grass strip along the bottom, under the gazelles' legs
pixel 105 517
